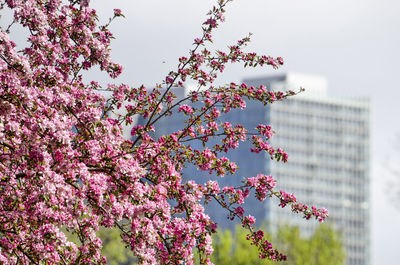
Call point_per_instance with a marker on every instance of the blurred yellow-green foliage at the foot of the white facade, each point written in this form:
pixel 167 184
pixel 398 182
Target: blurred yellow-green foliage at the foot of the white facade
pixel 324 247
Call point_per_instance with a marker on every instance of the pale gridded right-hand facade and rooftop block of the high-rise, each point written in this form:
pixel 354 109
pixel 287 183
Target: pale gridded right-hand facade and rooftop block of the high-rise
pixel 327 139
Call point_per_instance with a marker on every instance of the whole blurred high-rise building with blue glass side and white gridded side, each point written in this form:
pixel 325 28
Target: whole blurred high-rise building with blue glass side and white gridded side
pixel 327 139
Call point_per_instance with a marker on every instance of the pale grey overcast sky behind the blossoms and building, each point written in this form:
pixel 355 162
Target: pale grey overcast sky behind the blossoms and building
pixel 354 44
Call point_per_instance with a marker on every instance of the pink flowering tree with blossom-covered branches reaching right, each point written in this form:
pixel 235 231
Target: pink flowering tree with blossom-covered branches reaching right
pixel 65 165
